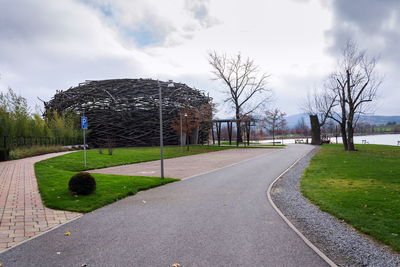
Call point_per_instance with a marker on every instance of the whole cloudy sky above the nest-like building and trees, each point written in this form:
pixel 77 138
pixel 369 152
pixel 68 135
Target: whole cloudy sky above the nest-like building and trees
pixel 48 45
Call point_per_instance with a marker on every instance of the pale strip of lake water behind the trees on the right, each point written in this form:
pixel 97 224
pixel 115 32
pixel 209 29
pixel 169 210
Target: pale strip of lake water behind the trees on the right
pixel 382 139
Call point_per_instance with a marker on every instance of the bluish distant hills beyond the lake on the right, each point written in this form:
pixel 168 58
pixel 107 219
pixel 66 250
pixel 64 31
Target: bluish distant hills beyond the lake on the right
pixel 377 120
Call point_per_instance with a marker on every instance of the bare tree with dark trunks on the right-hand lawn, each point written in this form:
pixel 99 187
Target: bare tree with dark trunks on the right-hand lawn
pixel 354 83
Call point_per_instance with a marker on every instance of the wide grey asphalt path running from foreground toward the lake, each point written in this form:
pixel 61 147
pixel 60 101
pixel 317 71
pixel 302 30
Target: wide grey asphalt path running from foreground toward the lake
pixel 221 218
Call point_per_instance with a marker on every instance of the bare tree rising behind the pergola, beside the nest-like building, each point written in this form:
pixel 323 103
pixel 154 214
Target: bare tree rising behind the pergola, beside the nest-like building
pixel 244 82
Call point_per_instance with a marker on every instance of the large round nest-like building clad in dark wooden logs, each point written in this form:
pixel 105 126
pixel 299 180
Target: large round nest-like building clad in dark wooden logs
pixel 125 112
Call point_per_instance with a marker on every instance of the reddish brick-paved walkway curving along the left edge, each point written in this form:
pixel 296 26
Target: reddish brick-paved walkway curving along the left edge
pixel 22 213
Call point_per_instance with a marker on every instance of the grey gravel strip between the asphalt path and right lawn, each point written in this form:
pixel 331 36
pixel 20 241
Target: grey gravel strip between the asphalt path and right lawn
pixel 339 241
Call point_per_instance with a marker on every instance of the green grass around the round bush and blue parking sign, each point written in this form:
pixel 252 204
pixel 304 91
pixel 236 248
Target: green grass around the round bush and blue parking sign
pixel 53 175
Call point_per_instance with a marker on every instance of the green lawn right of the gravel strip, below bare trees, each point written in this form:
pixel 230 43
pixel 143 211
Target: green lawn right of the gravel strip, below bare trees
pixel 361 188
